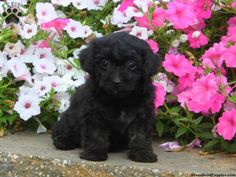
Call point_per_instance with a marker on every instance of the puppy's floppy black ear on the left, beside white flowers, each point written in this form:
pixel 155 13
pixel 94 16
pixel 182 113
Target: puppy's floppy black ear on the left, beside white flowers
pixel 85 58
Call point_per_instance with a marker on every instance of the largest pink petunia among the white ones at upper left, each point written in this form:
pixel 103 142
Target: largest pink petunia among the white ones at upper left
pixel 58 24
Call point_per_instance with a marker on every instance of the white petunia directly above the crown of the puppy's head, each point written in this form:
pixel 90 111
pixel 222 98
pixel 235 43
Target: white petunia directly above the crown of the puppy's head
pixel 118 18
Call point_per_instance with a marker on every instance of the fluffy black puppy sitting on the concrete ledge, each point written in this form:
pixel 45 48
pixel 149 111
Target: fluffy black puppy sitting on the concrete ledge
pixel 114 109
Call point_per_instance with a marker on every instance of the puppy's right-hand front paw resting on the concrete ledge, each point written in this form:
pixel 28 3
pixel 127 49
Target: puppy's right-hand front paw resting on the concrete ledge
pixel 142 156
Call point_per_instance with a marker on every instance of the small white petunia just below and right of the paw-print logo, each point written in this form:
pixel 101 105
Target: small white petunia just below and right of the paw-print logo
pixel 28 31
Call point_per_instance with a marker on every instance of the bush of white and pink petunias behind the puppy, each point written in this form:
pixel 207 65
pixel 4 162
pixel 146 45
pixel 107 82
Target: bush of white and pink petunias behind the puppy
pixel 195 89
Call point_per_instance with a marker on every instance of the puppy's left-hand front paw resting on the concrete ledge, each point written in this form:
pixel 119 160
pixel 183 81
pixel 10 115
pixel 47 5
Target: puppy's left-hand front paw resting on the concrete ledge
pixel 93 156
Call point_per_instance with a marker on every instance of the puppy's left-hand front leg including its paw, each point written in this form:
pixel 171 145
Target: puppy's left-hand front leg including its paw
pixel 94 143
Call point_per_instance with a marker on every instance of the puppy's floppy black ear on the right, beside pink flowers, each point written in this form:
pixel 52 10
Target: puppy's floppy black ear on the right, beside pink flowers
pixel 152 63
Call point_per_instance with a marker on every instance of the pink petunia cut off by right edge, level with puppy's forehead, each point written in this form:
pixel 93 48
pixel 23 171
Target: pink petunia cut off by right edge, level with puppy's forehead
pixel 230 57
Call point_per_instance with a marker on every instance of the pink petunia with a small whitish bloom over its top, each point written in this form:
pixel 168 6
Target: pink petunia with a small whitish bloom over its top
pixel 197 40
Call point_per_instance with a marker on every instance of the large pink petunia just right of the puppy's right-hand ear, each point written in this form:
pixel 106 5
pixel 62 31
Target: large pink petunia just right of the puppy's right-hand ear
pixel 178 64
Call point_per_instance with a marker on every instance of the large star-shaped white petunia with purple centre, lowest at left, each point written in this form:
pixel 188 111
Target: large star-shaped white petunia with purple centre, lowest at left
pixel 27 106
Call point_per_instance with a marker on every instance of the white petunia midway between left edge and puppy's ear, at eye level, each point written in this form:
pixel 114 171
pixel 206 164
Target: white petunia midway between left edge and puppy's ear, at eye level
pixel 44 66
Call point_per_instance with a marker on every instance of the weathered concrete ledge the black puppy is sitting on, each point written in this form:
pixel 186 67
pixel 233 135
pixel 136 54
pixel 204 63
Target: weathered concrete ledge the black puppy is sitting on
pixel 28 154
